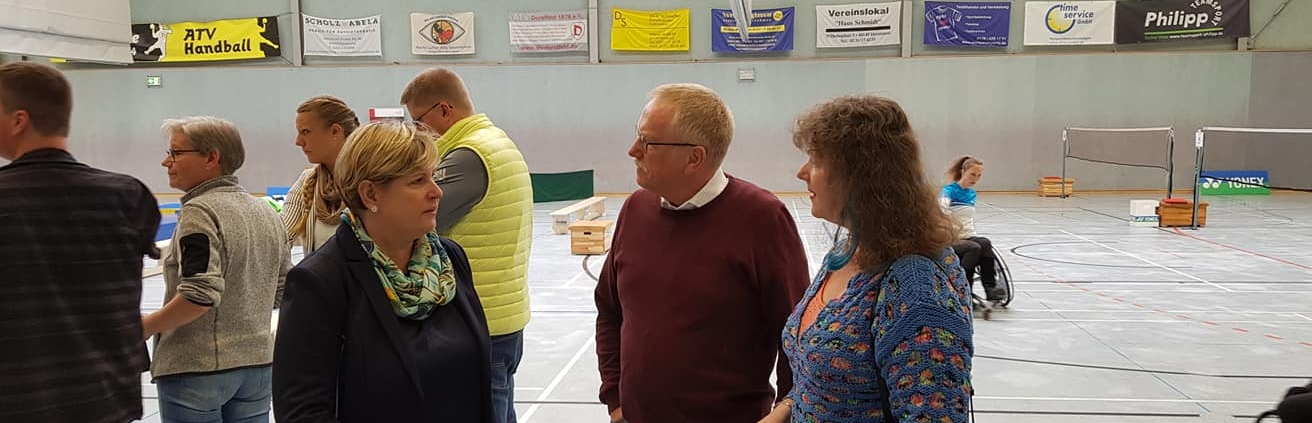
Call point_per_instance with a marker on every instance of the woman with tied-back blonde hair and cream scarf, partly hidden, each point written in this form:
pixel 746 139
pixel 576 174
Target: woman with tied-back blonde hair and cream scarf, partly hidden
pixel 314 203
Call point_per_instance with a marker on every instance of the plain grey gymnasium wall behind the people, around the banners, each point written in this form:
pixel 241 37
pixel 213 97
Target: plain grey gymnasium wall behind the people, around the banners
pixel 571 115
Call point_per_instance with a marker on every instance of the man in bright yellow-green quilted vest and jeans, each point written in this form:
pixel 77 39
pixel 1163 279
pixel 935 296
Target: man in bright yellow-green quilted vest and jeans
pixel 487 208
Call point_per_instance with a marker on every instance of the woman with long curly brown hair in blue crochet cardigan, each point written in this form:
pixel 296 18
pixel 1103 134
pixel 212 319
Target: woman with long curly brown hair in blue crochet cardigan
pixel 884 334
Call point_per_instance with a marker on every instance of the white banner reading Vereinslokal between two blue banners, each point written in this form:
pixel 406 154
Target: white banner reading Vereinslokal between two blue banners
pixel 859 26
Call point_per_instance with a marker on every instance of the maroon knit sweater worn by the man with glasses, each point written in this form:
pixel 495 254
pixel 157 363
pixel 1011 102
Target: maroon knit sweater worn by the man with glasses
pixel 692 304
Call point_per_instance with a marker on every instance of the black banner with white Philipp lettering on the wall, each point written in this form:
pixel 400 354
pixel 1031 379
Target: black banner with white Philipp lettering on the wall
pixel 1162 20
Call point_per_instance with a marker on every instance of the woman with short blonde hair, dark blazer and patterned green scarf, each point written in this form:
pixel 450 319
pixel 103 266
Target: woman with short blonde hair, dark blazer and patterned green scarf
pixel 382 324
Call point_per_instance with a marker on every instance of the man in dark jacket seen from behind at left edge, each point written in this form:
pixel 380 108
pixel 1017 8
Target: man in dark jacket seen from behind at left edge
pixel 72 250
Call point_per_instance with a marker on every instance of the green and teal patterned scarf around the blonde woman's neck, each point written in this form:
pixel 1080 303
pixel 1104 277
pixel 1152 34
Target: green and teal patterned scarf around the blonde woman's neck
pixel 430 284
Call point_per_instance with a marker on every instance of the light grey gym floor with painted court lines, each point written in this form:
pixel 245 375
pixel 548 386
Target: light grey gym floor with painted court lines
pixel 1105 320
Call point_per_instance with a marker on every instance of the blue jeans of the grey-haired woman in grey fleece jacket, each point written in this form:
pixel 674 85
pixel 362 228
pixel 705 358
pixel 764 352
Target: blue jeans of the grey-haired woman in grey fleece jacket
pixel 239 396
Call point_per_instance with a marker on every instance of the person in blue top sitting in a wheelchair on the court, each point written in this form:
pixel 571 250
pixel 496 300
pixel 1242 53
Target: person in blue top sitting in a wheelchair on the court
pixel 975 252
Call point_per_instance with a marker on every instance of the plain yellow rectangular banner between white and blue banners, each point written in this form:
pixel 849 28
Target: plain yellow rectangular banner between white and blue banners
pixel 650 31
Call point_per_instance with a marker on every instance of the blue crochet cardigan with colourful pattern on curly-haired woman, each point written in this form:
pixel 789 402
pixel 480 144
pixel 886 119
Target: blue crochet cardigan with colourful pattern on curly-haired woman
pixel 922 342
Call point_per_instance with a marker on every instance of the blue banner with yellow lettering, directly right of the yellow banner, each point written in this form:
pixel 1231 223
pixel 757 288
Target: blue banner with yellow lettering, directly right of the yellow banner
pixel 771 31
